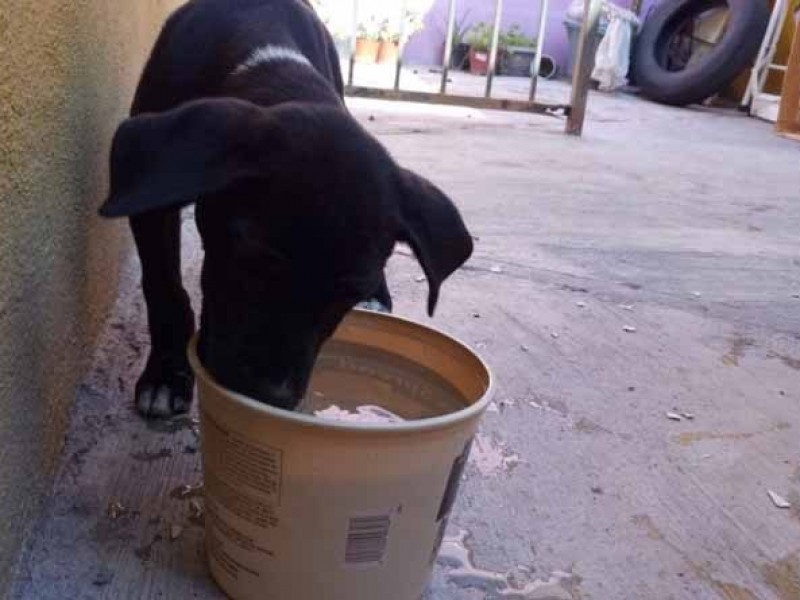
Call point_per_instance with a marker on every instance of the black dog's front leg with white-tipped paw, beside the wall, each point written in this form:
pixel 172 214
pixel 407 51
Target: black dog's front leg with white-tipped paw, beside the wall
pixel 167 384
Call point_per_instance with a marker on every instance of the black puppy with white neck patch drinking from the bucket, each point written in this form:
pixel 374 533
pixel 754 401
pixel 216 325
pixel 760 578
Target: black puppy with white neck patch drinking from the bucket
pixel 240 109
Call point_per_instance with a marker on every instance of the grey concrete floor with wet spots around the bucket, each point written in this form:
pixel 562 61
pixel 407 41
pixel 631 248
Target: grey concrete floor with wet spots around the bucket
pixel 681 223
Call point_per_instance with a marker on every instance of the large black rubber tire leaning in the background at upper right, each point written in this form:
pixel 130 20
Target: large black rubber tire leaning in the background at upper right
pixel 736 50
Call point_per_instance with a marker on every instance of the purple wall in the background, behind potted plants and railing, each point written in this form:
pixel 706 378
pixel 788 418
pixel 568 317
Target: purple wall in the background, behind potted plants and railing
pixel 426 46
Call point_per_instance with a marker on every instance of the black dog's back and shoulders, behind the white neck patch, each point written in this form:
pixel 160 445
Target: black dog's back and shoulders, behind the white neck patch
pixel 204 41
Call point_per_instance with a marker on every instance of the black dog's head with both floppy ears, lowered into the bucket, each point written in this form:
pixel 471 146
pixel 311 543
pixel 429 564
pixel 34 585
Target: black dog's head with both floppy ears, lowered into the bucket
pixel 298 209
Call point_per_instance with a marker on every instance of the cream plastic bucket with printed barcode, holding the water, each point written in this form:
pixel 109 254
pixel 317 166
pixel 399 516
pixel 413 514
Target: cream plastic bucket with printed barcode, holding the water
pixel 300 508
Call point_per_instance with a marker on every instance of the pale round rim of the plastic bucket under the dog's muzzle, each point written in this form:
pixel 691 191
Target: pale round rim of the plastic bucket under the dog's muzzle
pixel 473 411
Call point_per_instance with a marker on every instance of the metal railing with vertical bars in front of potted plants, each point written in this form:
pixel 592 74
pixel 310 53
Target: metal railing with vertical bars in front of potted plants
pixel 575 110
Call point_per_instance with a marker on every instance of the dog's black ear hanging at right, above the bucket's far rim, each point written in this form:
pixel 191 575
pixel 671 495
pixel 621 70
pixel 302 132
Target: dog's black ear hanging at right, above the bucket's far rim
pixel 432 226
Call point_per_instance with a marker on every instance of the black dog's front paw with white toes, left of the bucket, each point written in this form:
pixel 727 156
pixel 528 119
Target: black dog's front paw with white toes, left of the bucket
pixel 166 387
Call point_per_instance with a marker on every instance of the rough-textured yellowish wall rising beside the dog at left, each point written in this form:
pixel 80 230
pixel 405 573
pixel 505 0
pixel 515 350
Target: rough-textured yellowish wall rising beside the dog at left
pixel 67 73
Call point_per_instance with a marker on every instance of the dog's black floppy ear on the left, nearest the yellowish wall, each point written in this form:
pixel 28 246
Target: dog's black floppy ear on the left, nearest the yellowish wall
pixel 172 158
